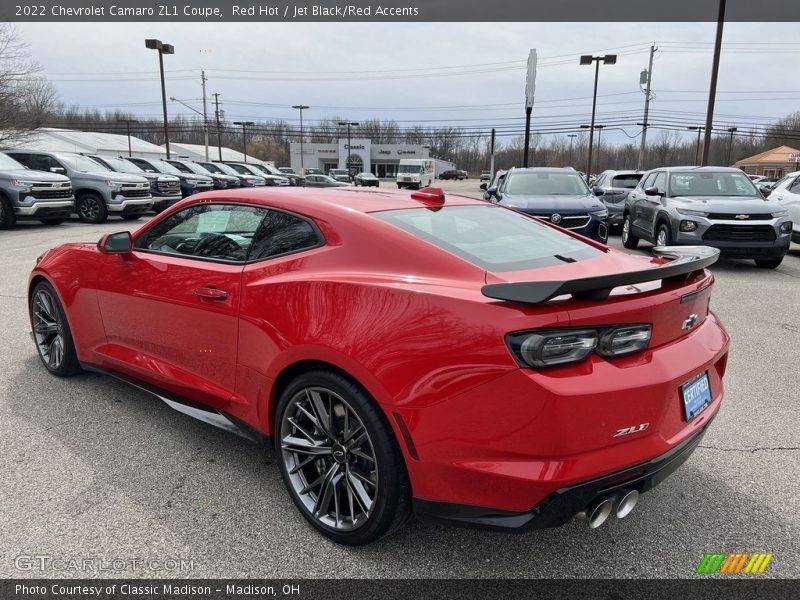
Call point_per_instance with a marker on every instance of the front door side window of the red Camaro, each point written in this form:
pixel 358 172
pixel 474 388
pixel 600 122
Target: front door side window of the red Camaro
pixel 210 231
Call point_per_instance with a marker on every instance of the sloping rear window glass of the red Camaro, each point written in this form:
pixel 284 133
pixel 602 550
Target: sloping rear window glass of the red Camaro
pixel 491 237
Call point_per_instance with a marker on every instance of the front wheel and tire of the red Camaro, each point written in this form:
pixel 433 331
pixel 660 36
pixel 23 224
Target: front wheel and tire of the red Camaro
pixel 51 332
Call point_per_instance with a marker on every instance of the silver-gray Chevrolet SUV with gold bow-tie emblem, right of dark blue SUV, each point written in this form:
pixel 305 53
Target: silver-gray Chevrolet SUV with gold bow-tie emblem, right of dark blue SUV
pixel 712 206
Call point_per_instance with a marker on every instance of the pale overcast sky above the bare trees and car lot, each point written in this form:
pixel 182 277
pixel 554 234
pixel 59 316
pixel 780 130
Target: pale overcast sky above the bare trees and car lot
pixel 431 73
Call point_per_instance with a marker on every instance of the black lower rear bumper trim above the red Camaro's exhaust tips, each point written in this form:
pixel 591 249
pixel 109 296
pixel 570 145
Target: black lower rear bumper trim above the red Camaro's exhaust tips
pixel 563 504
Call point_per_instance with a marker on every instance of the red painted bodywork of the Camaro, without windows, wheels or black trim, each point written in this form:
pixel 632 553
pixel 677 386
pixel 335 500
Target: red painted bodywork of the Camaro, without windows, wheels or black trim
pixel 407 320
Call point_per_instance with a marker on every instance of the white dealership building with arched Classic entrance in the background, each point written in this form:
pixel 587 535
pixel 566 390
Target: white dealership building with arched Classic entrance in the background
pixel 379 159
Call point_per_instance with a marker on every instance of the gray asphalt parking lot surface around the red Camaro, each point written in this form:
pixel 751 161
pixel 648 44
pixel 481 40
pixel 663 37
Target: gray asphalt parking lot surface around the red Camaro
pixel 94 469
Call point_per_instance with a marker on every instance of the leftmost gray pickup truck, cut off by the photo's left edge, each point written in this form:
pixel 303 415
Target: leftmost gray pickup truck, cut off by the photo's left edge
pixel 28 194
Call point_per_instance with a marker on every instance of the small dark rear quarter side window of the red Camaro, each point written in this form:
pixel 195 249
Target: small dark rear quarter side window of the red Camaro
pixel 282 233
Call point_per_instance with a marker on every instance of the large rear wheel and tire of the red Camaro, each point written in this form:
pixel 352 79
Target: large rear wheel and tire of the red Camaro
pixel 364 487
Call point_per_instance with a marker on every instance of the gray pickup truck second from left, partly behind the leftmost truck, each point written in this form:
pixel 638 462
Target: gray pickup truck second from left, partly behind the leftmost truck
pixel 99 192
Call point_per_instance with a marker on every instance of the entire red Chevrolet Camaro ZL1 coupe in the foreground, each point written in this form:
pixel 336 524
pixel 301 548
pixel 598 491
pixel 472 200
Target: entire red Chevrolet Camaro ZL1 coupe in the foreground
pixel 402 351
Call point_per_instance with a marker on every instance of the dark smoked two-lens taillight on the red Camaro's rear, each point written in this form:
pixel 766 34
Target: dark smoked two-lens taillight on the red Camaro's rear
pixel 553 347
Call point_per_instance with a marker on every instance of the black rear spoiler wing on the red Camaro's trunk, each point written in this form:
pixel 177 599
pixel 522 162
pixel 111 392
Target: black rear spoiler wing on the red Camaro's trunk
pixel 685 260
